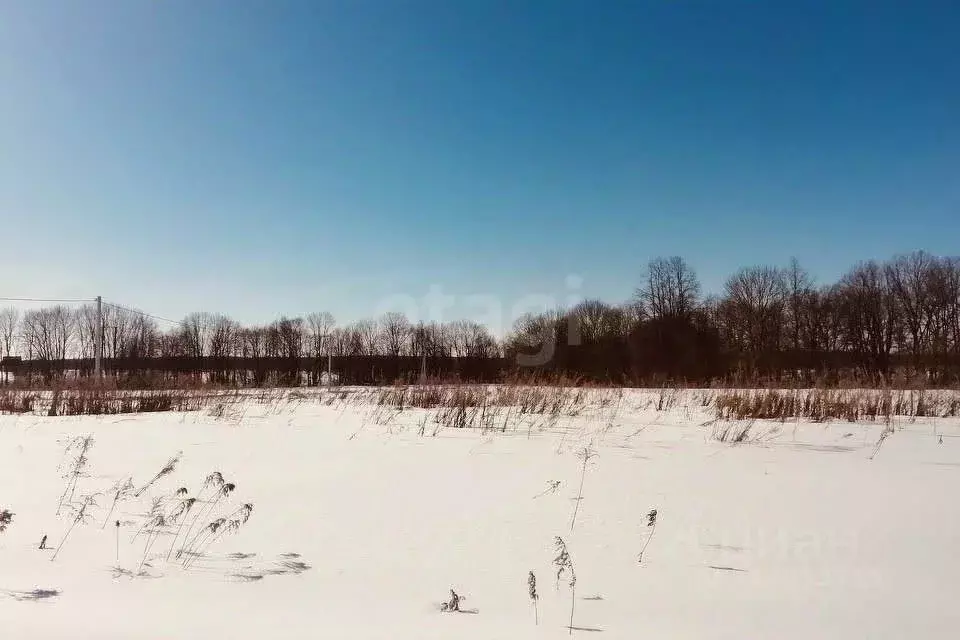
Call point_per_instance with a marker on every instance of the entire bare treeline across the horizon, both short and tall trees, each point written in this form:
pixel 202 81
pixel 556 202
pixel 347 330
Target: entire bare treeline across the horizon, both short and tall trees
pixel 770 324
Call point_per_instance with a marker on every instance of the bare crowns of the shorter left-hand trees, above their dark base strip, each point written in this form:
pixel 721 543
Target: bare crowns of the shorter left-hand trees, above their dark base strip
pixel 60 332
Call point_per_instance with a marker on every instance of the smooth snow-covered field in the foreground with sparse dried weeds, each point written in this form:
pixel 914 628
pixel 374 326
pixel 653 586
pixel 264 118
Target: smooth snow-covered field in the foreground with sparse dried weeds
pixel 364 518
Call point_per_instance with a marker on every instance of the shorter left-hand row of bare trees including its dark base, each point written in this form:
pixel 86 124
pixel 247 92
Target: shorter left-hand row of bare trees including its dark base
pixel 289 351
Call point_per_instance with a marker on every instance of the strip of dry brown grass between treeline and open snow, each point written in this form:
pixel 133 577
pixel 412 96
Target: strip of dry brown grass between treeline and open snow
pixel 528 404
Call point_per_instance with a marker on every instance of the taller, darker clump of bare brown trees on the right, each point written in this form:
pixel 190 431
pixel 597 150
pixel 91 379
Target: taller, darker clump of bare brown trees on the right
pixel 769 323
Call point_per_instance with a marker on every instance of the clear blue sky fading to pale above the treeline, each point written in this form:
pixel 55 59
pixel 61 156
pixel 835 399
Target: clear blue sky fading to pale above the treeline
pixel 259 158
